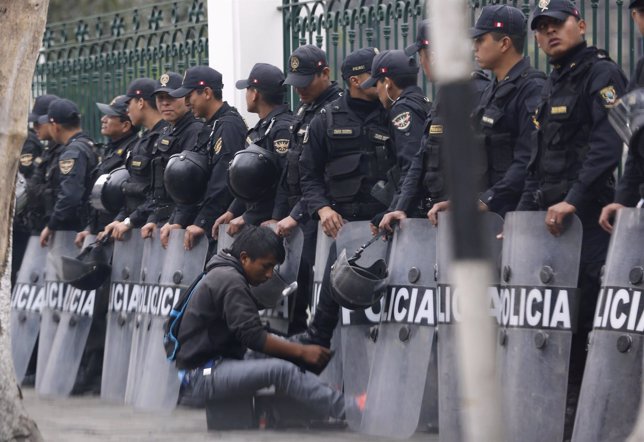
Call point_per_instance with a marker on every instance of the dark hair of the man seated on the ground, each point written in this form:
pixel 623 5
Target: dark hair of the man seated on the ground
pixel 258 242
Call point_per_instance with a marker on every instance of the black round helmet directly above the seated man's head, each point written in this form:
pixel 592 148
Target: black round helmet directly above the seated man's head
pixel 253 174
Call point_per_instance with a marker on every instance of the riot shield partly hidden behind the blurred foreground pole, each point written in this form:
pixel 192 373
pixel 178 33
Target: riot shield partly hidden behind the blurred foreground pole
pixel 448 315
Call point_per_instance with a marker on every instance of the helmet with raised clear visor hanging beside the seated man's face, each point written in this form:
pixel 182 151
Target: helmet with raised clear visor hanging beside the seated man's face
pixel 355 287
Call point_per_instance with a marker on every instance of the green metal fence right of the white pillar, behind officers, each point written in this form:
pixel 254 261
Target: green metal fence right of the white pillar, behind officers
pixel 340 26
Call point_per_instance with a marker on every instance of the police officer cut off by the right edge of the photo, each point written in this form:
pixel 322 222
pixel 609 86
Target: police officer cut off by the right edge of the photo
pixel 630 189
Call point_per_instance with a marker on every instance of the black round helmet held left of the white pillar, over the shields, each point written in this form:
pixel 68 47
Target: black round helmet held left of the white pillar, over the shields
pixel 186 176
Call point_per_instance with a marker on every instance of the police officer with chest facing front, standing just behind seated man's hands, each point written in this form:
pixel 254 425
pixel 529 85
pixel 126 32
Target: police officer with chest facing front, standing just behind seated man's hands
pixel 350 134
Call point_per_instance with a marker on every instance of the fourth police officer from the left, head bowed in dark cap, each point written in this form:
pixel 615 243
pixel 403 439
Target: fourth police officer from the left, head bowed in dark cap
pixel 142 110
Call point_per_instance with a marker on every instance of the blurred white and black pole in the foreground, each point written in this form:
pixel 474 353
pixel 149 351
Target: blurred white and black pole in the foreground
pixel 471 270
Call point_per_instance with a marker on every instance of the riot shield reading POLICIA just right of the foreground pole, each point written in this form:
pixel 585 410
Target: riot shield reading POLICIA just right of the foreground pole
pixel 537 315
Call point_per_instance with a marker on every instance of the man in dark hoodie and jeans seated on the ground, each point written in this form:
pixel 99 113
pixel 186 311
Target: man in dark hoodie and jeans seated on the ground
pixel 221 322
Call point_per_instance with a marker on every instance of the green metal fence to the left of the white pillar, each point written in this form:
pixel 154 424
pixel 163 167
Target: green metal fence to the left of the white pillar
pixel 93 59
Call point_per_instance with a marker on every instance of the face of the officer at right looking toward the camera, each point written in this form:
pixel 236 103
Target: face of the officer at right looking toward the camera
pixel 556 37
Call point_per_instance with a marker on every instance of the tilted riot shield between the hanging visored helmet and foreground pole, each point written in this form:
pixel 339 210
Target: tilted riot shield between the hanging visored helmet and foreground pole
pixel 405 336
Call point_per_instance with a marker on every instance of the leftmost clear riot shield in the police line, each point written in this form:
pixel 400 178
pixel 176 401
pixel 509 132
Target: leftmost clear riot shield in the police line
pixel 27 301
